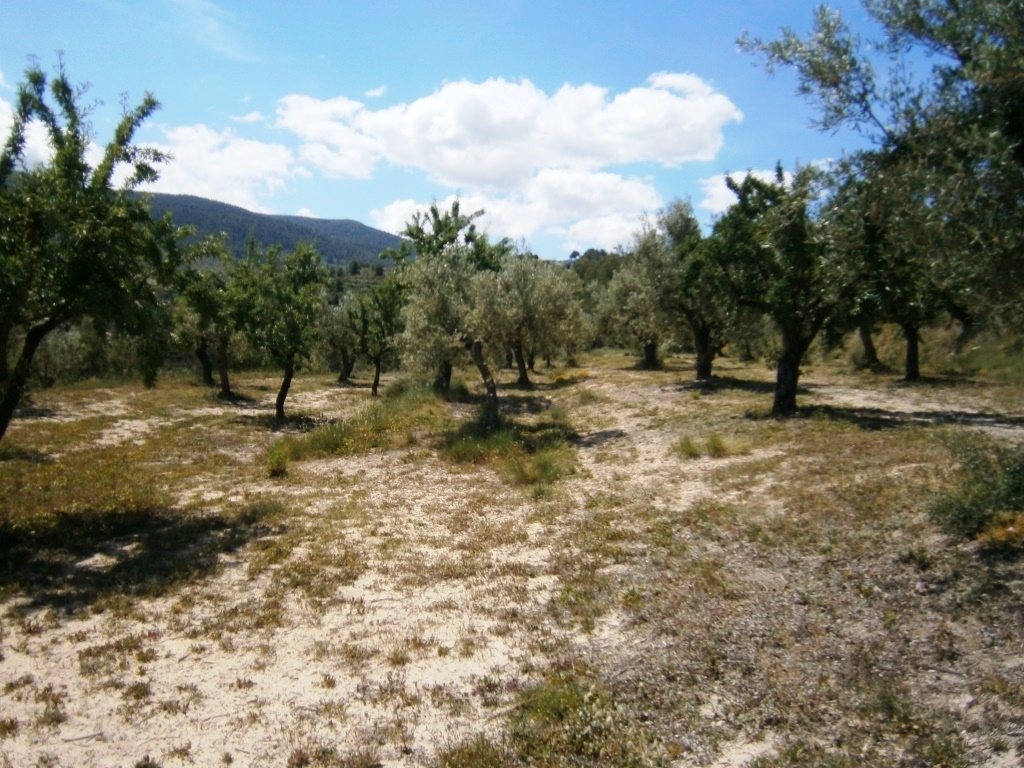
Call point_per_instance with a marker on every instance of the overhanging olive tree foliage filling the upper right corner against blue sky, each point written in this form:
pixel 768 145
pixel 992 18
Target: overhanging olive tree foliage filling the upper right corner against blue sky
pixel 948 127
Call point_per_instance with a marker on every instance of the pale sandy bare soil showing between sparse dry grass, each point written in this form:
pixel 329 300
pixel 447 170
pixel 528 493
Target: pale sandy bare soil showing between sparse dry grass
pixel 449 616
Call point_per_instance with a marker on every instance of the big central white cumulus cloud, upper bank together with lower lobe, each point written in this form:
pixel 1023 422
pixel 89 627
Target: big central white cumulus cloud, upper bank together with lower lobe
pixel 536 162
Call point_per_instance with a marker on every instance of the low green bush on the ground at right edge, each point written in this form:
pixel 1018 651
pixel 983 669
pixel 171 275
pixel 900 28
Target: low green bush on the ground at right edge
pixel 990 488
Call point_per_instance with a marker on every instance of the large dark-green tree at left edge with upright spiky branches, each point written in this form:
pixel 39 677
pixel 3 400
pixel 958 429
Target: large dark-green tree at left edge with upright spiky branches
pixel 72 245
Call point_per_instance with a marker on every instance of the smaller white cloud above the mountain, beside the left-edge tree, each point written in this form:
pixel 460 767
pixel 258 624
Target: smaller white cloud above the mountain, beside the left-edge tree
pixel 224 166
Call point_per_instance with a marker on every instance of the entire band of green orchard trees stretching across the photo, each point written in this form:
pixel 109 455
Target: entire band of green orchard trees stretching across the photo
pixel 925 223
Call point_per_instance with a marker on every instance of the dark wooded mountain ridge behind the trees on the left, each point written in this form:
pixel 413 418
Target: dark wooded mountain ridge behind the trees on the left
pixel 339 241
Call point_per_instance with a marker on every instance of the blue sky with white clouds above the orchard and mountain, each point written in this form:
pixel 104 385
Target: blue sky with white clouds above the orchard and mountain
pixel 569 123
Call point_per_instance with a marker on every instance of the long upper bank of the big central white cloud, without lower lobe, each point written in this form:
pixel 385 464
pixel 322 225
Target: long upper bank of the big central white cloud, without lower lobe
pixel 499 134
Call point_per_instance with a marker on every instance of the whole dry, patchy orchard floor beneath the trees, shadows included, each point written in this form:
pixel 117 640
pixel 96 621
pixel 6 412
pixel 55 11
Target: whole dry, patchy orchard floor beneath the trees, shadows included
pixel 647 571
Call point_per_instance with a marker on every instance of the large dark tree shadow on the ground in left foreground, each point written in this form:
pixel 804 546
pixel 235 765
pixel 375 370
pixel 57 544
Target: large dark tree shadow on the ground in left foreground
pixel 74 561
